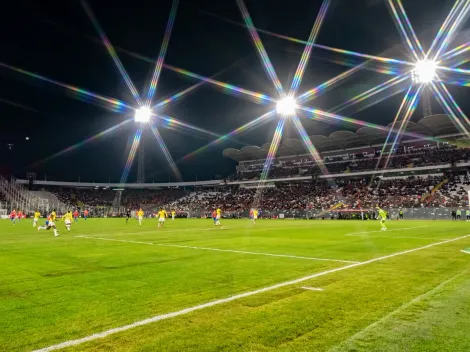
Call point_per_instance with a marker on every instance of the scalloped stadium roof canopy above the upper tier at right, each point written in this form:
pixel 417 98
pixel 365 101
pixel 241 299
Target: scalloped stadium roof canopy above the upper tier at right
pixel 431 126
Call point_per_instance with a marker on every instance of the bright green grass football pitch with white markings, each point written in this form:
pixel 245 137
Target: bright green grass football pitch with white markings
pixel 307 285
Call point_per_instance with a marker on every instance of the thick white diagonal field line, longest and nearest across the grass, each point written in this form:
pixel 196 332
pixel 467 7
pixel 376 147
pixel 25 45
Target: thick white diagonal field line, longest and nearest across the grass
pixel 156 318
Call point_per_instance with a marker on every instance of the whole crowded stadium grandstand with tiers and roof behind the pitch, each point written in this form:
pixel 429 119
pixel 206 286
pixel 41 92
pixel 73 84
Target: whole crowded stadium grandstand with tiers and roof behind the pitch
pixel 426 172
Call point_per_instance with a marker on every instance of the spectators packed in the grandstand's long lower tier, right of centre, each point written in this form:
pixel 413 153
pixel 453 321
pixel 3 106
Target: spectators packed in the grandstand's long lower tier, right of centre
pixel 410 192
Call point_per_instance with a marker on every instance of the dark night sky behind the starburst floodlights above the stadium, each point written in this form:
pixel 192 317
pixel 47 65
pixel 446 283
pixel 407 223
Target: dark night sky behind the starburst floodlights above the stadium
pixel 57 40
